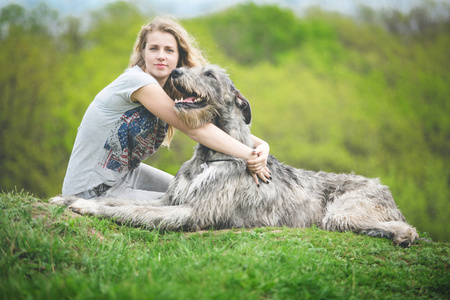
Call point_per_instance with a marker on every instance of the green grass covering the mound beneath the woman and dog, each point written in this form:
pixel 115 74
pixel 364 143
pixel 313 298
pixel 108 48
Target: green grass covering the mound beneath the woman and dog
pixel 48 252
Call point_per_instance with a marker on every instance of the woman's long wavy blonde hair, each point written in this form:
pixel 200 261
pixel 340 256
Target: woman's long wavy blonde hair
pixel 189 55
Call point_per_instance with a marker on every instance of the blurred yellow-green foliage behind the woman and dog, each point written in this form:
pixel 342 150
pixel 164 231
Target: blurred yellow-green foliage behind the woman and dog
pixel 367 94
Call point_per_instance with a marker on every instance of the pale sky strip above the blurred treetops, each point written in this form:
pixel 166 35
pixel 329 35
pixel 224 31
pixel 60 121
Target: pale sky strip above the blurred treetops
pixel 193 8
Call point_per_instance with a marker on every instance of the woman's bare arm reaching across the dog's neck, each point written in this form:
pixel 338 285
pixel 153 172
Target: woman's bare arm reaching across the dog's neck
pixel 153 97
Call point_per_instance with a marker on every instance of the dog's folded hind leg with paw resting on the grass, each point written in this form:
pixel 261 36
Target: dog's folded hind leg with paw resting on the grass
pixel 353 212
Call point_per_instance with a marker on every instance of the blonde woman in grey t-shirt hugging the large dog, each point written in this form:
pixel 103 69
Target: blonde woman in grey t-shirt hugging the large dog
pixel 133 116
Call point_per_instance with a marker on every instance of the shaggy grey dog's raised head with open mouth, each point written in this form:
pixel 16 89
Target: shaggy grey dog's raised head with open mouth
pixel 208 93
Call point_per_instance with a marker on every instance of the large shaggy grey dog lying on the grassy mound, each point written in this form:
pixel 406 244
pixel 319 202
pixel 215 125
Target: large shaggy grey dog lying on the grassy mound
pixel 214 190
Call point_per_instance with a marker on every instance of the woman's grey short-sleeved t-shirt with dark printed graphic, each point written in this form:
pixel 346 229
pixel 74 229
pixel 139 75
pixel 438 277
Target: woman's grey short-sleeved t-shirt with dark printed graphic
pixel 115 135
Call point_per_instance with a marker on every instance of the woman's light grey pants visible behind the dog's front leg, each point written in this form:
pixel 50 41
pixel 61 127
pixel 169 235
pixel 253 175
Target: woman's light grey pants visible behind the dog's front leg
pixel 143 183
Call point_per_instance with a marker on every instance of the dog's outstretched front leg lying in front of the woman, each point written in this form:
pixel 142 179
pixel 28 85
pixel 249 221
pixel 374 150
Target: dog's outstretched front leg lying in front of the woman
pixel 162 217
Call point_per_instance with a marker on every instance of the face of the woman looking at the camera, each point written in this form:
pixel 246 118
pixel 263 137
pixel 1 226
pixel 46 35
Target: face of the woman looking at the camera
pixel 160 55
